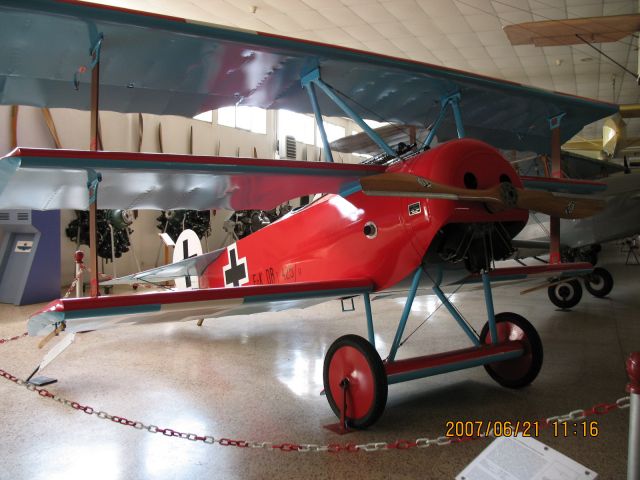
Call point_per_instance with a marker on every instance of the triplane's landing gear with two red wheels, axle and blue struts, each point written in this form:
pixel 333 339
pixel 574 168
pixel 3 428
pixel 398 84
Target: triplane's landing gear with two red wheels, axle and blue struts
pixel 356 379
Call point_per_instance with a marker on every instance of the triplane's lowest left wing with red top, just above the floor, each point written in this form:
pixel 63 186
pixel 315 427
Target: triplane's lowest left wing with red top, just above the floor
pixel 92 313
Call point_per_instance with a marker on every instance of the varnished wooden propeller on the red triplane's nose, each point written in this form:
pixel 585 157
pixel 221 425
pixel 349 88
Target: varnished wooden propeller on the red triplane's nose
pixel 501 197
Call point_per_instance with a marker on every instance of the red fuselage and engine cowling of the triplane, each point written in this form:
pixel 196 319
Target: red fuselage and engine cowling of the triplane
pixel 333 237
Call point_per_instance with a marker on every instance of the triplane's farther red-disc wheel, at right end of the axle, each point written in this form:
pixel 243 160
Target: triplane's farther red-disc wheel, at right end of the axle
pixel 516 372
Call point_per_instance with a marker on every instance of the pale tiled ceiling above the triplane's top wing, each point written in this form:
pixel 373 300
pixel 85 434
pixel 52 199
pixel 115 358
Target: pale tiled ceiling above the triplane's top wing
pixel 462 34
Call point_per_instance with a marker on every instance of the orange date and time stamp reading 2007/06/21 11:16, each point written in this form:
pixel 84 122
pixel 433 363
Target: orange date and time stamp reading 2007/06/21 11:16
pixel 470 428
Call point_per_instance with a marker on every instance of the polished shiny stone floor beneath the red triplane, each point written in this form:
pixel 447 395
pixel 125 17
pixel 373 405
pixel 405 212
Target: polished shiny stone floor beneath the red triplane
pixel 258 378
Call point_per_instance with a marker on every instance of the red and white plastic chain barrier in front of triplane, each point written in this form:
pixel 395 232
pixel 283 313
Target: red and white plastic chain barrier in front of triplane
pixel 575 415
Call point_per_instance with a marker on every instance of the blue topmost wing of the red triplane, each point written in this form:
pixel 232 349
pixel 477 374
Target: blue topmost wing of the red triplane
pixel 166 65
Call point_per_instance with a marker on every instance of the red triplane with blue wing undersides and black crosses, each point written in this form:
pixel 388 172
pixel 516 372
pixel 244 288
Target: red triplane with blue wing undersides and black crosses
pixel 415 216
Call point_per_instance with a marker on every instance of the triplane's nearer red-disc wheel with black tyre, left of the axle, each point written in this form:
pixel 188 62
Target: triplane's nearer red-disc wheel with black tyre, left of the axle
pixel 354 359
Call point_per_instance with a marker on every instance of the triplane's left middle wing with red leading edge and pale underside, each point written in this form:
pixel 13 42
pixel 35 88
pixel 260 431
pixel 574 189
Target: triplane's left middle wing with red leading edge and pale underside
pixel 50 179
